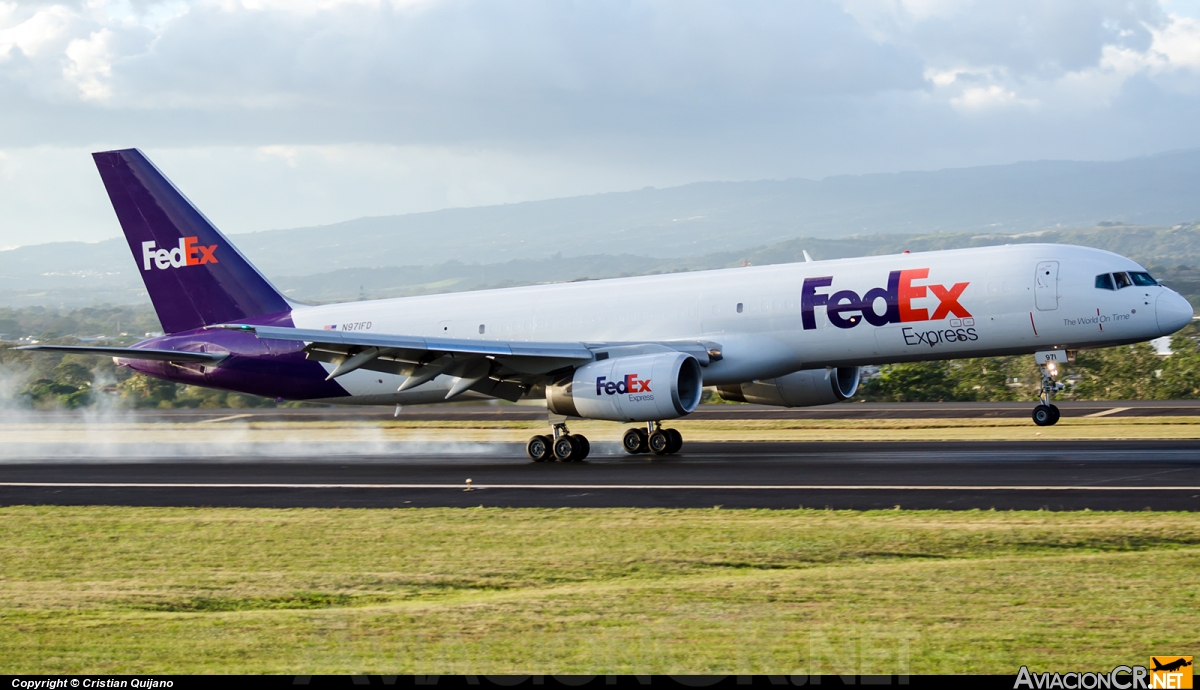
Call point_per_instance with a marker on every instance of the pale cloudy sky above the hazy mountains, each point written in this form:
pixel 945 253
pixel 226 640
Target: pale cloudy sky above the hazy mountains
pixel 286 113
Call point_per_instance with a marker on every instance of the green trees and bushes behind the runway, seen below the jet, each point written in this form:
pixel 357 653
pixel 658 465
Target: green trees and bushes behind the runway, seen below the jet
pixel 55 381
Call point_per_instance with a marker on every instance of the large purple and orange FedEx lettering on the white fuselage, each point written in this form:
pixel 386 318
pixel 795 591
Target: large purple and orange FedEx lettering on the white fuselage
pixel 847 309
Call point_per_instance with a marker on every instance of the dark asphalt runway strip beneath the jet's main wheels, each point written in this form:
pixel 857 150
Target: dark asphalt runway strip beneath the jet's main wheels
pixel 1003 476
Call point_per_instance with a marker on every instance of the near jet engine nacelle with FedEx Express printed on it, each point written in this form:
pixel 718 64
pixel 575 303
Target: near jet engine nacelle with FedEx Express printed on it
pixel 640 388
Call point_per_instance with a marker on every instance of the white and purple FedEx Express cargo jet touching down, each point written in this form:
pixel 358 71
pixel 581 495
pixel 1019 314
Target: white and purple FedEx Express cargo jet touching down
pixel 633 350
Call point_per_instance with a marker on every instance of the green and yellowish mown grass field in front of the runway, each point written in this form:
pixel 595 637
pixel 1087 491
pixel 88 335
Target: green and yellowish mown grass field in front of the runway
pixel 490 591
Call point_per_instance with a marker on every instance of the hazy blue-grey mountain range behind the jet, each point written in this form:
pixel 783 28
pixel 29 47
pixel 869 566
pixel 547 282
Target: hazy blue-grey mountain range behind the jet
pixel 1141 207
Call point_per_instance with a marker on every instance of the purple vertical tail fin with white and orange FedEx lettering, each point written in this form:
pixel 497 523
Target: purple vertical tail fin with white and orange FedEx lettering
pixel 194 274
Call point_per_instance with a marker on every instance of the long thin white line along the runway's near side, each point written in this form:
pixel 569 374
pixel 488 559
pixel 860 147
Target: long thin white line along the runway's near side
pixel 586 487
